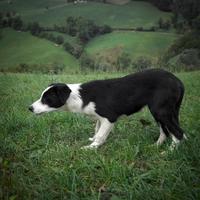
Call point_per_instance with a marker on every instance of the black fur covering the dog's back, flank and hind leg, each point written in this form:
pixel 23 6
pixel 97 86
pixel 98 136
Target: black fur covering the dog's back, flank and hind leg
pixel 160 90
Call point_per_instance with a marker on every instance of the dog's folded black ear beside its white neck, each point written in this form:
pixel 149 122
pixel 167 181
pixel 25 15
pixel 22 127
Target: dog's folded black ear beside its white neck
pixel 63 92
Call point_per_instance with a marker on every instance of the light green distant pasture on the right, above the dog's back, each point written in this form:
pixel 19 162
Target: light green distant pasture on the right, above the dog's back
pixel 148 44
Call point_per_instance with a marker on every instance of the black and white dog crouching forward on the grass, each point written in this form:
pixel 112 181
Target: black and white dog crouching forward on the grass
pixel 107 100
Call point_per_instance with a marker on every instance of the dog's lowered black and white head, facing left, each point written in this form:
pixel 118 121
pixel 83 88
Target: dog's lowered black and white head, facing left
pixel 52 98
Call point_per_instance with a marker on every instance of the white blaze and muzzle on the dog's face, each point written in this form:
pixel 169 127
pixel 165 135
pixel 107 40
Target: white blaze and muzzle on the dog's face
pixel 39 107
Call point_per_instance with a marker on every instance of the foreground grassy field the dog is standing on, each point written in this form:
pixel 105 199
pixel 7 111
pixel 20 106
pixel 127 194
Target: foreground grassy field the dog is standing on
pixel 40 156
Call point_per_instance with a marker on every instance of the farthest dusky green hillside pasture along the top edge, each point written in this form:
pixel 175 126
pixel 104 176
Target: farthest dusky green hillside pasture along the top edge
pixel 133 14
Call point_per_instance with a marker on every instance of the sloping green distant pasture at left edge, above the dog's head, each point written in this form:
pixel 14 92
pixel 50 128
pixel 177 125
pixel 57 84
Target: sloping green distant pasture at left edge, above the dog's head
pixel 19 48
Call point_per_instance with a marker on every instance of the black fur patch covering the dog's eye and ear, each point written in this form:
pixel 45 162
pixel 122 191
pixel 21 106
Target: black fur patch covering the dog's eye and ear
pixel 56 96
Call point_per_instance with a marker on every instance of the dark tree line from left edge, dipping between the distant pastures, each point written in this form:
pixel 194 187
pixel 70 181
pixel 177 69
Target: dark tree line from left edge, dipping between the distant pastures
pixel 80 28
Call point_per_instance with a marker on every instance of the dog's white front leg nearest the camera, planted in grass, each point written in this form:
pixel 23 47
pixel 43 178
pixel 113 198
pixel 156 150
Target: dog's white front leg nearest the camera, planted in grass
pixel 102 134
